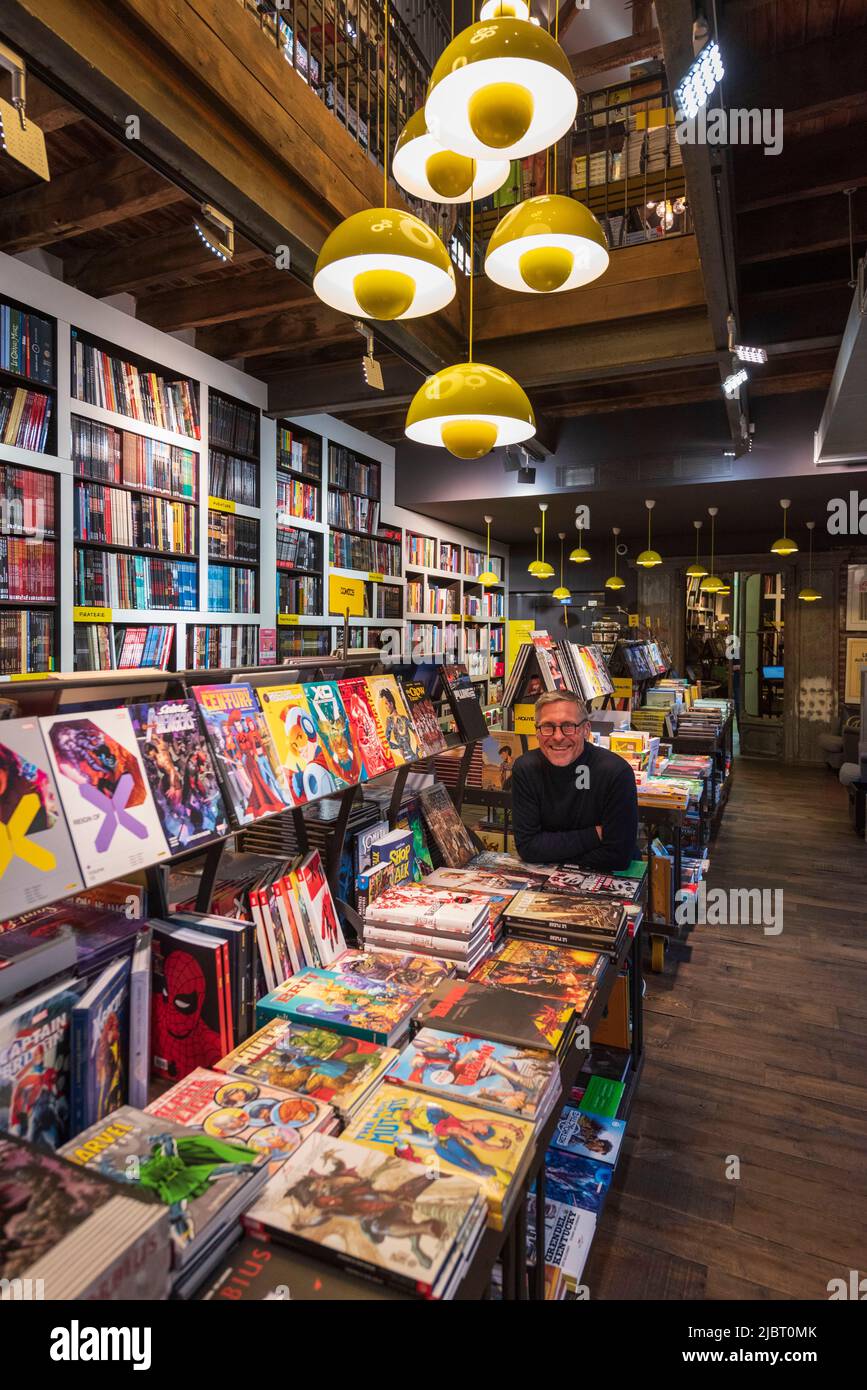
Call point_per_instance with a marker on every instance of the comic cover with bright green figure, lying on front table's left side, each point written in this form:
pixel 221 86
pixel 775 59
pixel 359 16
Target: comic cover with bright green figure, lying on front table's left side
pixel 194 1175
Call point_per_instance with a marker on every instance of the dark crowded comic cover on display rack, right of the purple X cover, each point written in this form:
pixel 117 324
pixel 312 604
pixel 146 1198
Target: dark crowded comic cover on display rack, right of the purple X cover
pixel 181 774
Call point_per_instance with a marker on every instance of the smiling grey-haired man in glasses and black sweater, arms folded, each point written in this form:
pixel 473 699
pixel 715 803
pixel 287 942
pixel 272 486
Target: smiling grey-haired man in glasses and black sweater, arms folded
pixel 573 803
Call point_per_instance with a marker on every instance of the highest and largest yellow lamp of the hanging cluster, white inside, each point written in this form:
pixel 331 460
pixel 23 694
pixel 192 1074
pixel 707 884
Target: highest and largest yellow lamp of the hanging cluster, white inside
pixel 501 88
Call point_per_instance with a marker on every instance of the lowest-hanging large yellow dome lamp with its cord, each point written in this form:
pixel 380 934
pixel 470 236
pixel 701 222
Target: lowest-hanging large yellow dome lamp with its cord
pixel 470 408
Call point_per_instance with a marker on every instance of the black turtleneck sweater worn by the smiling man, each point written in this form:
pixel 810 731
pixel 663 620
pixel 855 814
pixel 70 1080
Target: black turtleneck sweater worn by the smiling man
pixel 556 824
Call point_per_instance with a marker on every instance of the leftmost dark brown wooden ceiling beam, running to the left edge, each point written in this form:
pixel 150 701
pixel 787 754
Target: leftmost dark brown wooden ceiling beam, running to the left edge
pixel 83 201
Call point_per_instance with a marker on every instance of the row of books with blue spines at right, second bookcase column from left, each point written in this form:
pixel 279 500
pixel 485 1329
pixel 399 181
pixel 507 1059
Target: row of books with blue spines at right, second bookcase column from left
pixel 135 582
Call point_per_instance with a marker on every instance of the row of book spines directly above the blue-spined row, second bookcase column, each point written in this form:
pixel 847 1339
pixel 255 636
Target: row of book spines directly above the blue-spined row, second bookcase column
pixel 117 518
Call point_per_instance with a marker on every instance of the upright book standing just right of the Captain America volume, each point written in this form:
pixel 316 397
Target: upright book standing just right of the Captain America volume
pixel 101 1047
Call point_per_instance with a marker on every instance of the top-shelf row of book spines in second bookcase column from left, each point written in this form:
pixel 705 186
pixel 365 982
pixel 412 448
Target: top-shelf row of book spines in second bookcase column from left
pixel 117 384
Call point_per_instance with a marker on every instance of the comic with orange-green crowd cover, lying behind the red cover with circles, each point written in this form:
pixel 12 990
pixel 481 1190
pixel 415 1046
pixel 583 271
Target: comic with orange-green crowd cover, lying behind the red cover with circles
pixel 312 1061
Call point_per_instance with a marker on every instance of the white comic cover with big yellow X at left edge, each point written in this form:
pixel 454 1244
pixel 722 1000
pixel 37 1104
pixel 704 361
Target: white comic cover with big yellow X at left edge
pixel 37 856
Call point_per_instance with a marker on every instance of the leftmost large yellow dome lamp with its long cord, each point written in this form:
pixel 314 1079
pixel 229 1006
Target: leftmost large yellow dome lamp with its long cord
pixel 384 263
